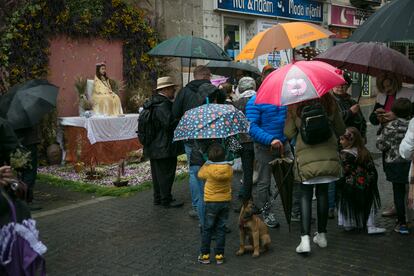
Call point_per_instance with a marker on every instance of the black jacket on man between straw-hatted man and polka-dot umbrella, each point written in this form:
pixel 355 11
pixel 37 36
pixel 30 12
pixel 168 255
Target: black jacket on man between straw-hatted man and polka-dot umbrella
pixel 187 98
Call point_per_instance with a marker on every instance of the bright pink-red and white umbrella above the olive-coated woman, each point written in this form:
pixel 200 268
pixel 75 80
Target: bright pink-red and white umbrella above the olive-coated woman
pixel 297 82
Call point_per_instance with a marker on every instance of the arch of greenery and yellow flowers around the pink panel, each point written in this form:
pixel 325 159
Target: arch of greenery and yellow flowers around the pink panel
pixel 24 50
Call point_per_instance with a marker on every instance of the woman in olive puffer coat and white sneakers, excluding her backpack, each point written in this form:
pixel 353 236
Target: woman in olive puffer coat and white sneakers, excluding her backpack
pixel 317 166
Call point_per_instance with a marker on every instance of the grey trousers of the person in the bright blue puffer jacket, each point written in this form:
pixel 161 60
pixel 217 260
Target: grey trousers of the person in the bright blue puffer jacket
pixel 264 155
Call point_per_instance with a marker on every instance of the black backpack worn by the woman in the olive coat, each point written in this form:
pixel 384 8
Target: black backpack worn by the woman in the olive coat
pixel 315 127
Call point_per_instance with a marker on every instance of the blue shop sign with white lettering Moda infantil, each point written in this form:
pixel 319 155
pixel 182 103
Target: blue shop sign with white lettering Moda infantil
pixel 305 10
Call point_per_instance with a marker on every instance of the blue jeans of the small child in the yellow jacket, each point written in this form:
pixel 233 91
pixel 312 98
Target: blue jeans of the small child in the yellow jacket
pixel 216 215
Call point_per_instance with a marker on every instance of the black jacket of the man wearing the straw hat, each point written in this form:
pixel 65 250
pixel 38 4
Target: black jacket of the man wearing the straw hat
pixel 164 124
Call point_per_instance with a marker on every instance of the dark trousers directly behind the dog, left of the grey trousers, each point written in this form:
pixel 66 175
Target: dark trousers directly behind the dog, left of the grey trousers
pixel 247 159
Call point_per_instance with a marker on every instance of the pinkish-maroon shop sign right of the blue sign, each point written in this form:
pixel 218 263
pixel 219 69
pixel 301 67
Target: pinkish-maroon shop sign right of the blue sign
pixel 348 16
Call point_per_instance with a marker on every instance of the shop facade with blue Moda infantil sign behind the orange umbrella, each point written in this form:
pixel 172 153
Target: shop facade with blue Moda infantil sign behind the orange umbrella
pixel 237 21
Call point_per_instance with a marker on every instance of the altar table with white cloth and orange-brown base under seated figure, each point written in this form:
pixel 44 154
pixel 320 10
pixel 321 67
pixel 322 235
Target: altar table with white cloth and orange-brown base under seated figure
pixel 103 140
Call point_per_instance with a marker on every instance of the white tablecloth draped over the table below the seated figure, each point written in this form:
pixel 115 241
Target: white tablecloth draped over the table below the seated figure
pixel 103 129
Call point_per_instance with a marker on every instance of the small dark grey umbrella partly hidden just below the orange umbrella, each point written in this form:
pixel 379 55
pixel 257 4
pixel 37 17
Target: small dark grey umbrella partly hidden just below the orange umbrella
pixel 229 68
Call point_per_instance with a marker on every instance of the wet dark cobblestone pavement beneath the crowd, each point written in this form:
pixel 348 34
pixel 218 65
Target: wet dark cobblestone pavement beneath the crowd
pixel 130 236
